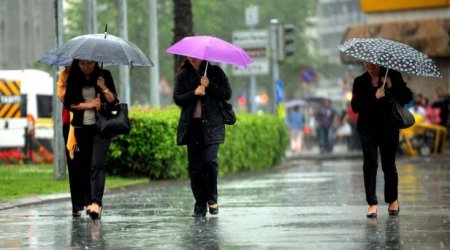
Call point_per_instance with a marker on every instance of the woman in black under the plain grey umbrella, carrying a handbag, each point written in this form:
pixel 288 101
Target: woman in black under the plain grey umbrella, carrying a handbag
pixel 88 89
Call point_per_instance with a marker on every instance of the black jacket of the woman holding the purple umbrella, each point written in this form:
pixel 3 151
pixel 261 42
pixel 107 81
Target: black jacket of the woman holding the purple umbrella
pixel 218 90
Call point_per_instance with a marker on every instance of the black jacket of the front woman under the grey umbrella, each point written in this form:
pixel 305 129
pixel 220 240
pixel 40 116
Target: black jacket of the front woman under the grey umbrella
pixel 74 95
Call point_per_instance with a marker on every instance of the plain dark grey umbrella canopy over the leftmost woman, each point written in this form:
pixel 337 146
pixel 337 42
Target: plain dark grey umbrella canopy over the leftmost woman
pixel 104 48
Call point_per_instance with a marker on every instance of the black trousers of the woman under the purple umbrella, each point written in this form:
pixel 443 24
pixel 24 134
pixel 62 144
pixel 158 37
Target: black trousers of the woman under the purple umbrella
pixel 203 167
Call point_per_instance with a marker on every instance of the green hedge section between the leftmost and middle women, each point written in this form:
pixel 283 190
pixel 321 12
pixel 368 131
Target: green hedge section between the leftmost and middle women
pixel 150 149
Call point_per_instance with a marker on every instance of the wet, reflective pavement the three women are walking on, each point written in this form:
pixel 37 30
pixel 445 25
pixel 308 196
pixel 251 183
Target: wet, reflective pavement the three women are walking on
pixel 305 203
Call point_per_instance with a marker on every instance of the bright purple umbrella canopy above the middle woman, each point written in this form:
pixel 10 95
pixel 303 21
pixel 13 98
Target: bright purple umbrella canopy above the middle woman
pixel 211 49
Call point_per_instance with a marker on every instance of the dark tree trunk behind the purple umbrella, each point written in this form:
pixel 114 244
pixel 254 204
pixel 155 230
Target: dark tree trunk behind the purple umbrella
pixel 182 11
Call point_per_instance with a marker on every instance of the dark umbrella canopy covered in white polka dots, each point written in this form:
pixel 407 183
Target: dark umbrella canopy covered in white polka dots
pixel 391 55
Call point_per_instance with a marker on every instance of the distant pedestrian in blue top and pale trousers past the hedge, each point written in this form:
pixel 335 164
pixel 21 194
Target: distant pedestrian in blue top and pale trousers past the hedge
pixel 296 124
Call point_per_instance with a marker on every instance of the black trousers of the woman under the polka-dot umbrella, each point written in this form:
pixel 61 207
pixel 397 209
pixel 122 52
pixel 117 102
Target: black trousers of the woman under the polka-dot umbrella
pixel 387 144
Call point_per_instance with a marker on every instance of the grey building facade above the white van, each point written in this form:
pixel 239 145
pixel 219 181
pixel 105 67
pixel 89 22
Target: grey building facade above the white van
pixel 27 31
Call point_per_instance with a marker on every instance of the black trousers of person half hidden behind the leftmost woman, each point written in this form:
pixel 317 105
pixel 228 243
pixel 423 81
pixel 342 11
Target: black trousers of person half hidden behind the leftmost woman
pixel 79 187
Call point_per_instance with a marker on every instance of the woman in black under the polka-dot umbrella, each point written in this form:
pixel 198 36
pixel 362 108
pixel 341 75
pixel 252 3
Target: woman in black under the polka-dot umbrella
pixel 372 103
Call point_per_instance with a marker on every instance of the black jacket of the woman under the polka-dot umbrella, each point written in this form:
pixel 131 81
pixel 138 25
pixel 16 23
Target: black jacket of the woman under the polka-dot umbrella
pixel 374 114
